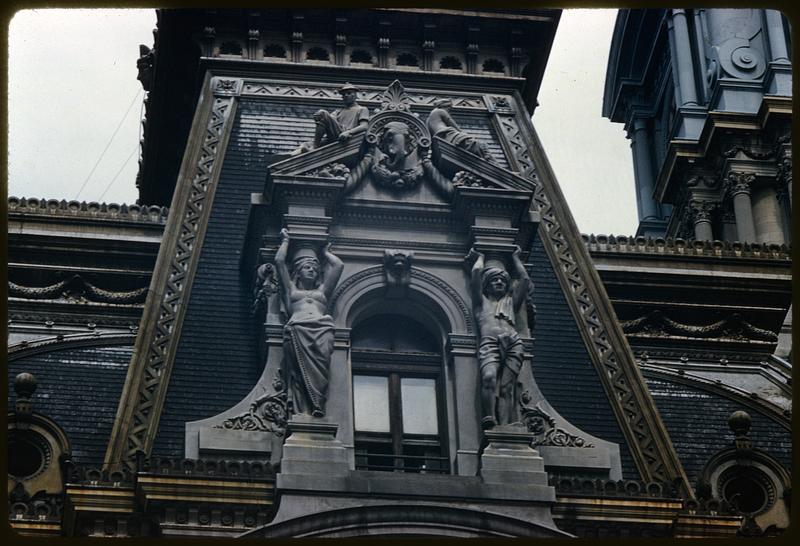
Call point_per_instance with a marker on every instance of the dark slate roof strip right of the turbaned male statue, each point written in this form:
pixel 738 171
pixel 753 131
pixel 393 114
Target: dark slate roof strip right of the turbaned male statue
pixel 563 368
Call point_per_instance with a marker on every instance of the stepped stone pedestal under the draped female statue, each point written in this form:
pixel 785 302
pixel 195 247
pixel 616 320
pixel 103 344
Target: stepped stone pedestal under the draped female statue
pixel 312 448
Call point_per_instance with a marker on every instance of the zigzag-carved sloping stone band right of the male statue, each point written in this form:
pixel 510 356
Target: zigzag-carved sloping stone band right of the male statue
pixel 653 461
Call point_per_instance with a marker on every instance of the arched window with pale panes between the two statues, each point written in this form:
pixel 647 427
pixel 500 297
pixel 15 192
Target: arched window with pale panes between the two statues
pixel 398 400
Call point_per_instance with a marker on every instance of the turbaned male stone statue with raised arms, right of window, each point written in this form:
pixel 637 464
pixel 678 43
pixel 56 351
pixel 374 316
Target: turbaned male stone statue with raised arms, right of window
pixel 496 300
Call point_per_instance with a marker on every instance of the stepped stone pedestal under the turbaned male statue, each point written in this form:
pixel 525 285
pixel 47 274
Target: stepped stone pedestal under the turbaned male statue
pixel 508 458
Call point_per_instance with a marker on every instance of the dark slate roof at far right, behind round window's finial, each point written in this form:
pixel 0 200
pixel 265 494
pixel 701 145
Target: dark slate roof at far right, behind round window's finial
pixel 697 422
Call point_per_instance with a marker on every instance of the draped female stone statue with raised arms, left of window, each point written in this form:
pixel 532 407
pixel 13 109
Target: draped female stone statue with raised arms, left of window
pixel 309 333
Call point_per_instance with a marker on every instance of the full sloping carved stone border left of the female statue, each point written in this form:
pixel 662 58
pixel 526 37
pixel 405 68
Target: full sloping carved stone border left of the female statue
pixel 148 375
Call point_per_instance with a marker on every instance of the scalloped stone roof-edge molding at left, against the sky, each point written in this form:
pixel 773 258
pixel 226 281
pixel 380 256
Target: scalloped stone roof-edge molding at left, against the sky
pixel 90 211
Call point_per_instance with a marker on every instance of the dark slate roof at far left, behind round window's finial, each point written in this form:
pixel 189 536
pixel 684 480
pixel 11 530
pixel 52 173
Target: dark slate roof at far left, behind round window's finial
pixel 79 388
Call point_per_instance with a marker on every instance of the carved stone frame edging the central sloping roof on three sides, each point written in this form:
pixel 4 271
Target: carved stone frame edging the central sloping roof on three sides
pixel 148 377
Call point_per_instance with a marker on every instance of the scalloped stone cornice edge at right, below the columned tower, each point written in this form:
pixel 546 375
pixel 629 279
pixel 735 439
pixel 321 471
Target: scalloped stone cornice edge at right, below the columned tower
pixel 680 248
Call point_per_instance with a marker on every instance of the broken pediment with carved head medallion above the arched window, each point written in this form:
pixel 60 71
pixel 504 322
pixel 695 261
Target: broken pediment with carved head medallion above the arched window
pixel 396 156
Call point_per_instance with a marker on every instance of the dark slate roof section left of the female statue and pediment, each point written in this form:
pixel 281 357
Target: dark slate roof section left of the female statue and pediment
pixel 216 364
